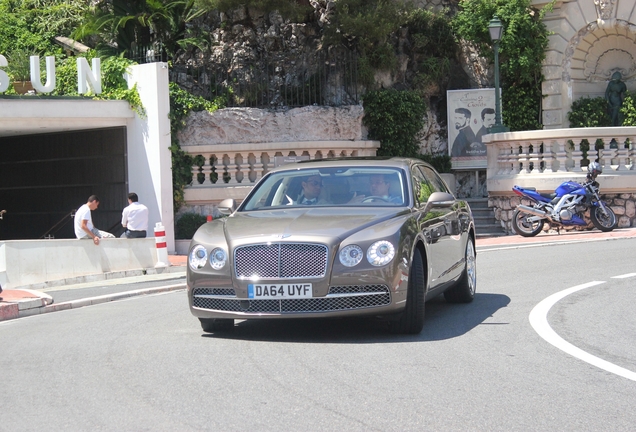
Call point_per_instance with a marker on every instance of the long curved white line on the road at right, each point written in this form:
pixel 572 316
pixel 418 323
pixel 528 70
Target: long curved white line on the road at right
pixel 539 321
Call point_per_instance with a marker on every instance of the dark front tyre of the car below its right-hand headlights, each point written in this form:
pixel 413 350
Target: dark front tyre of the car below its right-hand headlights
pixel 412 319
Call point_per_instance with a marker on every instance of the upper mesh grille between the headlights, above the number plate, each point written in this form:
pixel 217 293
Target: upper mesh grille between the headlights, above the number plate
pixel 280 261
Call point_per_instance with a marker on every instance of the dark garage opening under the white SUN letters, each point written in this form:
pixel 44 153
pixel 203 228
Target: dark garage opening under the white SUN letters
pixel 44 178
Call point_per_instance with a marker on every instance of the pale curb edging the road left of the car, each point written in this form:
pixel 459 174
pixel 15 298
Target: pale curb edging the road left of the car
pixel 37 306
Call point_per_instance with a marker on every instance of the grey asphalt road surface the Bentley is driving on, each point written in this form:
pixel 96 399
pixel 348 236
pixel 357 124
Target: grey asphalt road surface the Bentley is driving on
pixel 144 363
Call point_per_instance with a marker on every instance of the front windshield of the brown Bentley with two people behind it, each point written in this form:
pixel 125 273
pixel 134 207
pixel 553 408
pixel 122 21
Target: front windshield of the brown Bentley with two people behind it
pixel 340 186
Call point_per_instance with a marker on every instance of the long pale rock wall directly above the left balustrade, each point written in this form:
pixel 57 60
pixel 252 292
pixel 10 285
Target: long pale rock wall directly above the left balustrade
pixel 252 125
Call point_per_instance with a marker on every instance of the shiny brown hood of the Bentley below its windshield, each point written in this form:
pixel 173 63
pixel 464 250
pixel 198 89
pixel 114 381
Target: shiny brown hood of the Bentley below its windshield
pixel 302 224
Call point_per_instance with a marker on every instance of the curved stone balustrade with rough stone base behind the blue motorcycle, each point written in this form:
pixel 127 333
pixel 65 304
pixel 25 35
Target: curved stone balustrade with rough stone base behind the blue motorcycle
pixel 545 158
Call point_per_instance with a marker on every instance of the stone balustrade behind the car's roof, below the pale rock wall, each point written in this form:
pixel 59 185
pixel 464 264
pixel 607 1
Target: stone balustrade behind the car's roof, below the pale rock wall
pixel 230 170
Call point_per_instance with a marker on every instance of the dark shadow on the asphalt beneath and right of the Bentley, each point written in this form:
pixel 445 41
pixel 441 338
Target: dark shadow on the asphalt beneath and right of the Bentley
pixel 443 321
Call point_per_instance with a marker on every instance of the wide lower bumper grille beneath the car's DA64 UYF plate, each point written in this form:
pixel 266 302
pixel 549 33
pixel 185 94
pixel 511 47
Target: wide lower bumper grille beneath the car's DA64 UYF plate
pixel 340 298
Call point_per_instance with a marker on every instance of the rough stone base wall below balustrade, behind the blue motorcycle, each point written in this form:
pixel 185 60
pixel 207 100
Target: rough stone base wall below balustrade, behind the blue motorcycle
pixel 623 205
